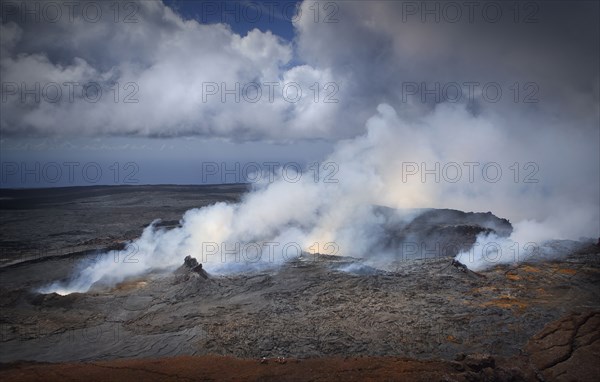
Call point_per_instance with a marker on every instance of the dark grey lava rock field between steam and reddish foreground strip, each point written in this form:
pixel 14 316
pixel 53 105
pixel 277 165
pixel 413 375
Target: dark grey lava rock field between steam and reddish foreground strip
pixel 306 308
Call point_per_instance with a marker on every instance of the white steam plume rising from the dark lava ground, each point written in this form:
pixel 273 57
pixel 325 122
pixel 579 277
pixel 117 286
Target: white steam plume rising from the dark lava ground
pixel 277 221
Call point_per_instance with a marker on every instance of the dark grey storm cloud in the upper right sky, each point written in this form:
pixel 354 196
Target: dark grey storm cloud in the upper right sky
pixel 380 48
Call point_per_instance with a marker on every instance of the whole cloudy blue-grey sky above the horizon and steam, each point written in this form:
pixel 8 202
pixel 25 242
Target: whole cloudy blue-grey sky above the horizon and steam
pixel 153 92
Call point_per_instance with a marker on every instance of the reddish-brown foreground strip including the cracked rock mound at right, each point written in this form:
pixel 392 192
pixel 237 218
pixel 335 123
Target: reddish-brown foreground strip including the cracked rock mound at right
pixel 565 350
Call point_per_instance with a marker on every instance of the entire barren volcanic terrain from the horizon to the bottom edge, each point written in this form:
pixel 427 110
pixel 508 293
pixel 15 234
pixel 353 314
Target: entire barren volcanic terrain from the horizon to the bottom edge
pixel 422 319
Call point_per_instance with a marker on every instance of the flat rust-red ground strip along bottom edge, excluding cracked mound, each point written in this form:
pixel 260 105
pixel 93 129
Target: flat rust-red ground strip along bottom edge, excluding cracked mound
pixel 214 368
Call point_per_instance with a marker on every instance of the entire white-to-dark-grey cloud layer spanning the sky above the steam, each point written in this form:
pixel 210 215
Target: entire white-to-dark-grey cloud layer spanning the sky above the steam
pixel 358 56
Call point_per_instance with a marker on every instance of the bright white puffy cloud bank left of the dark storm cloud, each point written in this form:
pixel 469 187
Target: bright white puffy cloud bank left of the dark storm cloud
pixel 159 76
